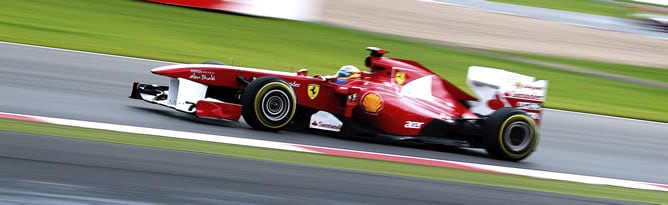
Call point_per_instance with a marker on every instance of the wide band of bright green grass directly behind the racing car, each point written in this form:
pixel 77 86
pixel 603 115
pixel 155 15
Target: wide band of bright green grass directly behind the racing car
pixel 137 28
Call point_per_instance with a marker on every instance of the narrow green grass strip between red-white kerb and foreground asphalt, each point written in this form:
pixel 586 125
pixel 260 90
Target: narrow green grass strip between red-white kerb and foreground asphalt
pixel 429 172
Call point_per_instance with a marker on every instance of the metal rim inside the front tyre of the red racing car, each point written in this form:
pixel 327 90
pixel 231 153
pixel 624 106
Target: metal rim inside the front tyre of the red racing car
pixel 275 105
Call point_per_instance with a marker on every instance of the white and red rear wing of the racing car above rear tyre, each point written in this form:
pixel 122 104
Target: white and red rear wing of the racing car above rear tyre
pixel 497 88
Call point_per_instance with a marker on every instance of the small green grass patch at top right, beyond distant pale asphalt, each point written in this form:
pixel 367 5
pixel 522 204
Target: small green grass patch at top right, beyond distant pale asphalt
pixel 582 6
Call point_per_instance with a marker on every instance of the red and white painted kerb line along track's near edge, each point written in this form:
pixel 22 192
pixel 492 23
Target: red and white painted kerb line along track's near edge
pixel 341 152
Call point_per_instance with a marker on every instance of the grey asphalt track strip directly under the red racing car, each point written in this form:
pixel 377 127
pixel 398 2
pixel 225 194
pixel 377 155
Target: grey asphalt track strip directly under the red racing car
pixel 73 85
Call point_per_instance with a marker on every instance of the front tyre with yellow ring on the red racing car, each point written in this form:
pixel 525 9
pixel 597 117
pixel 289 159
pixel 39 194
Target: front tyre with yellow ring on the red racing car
pixel 268 103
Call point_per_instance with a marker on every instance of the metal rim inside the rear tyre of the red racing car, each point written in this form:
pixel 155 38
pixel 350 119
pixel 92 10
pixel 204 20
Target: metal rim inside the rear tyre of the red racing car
pixel 517 136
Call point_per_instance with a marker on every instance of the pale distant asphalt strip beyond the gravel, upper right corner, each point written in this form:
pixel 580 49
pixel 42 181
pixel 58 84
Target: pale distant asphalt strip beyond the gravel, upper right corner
pixel 567 17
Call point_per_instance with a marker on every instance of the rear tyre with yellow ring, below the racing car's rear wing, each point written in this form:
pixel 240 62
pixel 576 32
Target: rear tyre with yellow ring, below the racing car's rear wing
pixel 510 134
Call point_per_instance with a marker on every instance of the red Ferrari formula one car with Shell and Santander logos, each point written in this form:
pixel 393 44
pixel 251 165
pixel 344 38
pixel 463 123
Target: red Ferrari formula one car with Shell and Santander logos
pixel 397 99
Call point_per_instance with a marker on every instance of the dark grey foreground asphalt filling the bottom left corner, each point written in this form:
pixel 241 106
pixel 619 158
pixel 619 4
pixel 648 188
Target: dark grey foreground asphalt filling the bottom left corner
pixel 46 170
